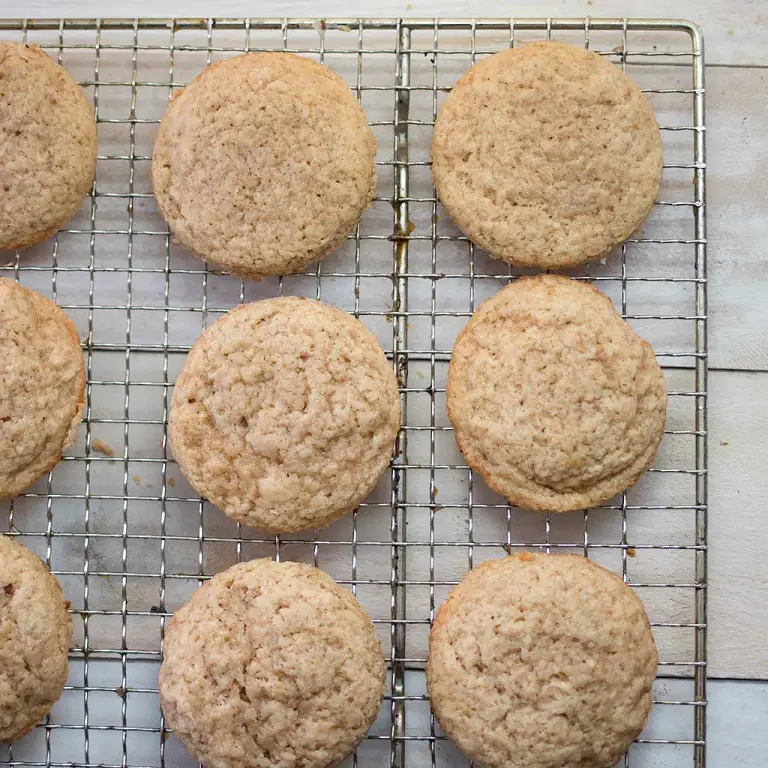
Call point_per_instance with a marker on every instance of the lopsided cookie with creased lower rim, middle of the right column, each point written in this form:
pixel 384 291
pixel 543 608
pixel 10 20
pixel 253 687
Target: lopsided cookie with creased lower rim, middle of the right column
pixel 554 399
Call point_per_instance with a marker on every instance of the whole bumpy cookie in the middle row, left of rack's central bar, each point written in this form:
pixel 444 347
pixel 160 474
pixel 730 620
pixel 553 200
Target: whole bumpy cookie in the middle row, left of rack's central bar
pixel 285 414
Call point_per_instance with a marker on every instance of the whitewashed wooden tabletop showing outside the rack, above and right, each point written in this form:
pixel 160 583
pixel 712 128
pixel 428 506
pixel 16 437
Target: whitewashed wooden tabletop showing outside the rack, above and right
pixel 736 44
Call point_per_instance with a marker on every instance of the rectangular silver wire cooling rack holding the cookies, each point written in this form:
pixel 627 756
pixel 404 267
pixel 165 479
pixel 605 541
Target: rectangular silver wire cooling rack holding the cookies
pixel 129 539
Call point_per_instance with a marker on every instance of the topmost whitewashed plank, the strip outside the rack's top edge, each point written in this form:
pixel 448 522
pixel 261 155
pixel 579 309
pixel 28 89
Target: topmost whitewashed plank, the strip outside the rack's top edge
pixel 736 30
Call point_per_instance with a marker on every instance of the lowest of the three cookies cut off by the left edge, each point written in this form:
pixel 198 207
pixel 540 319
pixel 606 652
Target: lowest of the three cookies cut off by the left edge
pixel 35 633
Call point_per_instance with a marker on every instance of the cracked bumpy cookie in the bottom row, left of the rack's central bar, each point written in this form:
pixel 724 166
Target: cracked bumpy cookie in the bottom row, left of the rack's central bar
pixel 271 665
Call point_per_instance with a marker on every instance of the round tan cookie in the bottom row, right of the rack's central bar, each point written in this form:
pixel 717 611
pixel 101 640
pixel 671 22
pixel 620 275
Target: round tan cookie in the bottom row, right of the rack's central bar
pixel 542 661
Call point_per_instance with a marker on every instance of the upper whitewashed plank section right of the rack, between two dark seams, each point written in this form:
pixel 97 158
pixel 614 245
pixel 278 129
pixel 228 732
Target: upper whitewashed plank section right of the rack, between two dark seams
pixel 737 117
